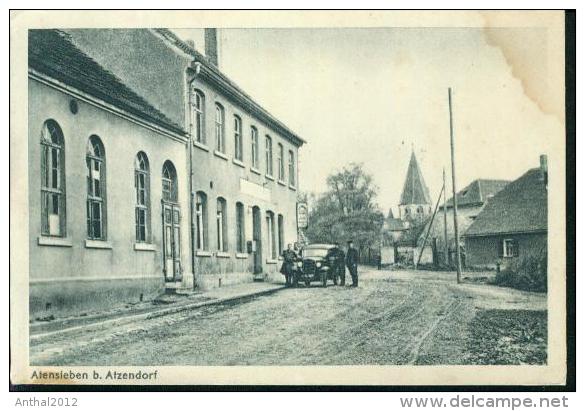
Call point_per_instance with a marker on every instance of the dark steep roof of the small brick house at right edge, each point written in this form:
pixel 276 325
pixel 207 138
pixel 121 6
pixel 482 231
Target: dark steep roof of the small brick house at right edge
pixel 521 207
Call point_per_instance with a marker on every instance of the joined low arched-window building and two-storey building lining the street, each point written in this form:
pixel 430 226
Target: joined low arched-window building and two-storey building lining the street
pixel 148 173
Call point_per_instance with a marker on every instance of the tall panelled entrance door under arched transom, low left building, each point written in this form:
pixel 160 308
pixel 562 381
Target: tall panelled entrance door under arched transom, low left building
pixel 171 242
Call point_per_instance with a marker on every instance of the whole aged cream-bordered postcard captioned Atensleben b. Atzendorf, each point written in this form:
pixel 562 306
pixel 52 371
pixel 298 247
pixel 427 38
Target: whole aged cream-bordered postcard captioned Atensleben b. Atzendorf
pixel 288 198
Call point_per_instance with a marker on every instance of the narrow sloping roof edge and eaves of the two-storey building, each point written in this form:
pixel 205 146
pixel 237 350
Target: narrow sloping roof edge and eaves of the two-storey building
pixel 229 87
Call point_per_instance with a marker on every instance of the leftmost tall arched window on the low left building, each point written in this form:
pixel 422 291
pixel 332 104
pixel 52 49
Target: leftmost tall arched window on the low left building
pixel 53 220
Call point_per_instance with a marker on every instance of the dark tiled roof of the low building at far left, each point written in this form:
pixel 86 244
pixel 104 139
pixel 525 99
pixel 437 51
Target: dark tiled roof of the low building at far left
pixel 52 53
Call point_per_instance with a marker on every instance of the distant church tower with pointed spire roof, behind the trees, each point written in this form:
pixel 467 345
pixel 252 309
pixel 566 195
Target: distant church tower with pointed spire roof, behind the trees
pixel 415 201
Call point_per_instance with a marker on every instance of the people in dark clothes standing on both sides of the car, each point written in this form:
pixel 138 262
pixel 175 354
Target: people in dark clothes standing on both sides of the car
pixel 342 260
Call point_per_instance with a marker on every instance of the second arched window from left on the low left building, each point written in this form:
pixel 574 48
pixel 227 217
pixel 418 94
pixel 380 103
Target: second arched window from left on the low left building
pixel 96 189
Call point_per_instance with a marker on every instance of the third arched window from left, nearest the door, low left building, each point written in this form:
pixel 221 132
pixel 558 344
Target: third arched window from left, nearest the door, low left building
pixel 142 186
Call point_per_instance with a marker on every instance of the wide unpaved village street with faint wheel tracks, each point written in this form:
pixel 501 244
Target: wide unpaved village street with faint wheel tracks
pixel 394 317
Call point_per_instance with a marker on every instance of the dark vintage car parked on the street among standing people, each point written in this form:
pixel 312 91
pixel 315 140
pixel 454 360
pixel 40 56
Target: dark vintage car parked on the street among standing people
pixel 318 262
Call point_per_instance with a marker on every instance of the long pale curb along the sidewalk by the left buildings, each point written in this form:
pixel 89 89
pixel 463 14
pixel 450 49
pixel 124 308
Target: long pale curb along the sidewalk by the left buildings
pixel 154 314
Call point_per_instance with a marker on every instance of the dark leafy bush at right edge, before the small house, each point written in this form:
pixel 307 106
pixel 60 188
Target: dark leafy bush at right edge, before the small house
pixel 528 273
